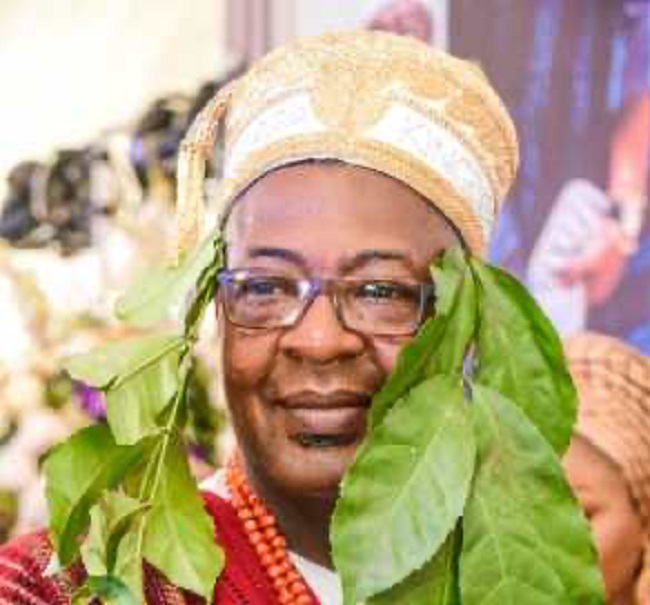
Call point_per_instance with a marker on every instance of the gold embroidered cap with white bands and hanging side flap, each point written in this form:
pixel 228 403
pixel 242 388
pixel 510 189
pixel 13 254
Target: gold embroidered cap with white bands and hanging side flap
pixel 370 99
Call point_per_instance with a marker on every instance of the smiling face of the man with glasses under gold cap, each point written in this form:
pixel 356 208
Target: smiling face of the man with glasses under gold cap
pixel 299 395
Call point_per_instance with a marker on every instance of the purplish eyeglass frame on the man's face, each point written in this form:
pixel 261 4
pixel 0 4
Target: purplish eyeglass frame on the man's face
pixel 317 286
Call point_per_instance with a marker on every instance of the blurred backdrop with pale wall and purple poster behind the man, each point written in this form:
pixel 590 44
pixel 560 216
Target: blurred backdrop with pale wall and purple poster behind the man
pixel 97 95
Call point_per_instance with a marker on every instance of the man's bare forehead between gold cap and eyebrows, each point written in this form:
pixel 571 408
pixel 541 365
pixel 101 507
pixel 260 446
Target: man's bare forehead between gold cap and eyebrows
pixel 336 200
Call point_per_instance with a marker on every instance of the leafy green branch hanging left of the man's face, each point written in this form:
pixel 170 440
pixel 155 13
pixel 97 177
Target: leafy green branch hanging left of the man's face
pixel 115 491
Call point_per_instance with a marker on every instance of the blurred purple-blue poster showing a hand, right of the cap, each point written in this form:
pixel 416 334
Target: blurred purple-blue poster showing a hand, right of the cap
pixel 576 78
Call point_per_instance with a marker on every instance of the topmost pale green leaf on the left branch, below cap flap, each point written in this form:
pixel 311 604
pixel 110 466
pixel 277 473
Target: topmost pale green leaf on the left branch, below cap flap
pixel 159 293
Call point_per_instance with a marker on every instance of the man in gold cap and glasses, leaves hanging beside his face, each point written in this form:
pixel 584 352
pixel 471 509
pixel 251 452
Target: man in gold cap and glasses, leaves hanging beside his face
pixel 363 174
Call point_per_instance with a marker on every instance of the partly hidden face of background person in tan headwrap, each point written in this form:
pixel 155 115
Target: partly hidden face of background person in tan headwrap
pixel 606 501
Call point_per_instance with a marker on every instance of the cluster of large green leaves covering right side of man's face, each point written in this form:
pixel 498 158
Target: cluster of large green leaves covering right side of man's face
pixel 457 496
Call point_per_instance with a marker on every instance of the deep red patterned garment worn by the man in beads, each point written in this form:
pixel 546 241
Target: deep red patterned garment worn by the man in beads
pixel 243 581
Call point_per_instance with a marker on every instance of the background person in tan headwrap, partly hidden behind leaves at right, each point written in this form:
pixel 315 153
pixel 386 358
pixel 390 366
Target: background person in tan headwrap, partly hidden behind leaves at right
pixel 608 462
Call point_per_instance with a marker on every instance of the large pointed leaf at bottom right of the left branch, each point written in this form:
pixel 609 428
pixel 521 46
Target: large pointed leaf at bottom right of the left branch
pixel 179 538
